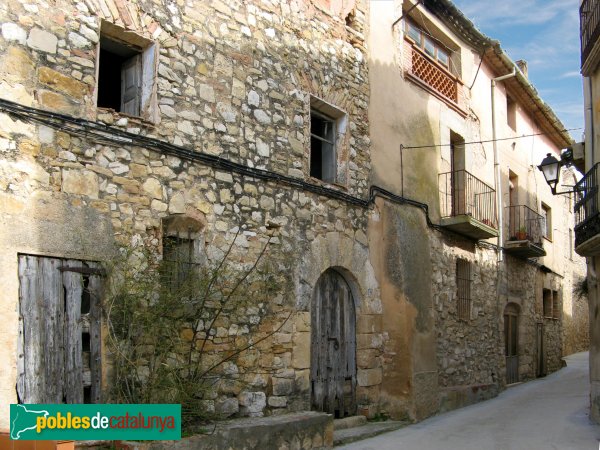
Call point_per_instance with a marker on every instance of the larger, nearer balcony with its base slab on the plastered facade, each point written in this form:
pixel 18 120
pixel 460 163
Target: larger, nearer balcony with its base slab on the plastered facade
pixel 468 205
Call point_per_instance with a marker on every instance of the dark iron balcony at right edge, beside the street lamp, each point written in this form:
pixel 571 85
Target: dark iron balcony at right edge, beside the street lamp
pixel 587 219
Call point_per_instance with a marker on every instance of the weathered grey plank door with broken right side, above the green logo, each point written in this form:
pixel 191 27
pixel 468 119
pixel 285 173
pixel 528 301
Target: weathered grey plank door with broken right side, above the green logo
pixel 59 331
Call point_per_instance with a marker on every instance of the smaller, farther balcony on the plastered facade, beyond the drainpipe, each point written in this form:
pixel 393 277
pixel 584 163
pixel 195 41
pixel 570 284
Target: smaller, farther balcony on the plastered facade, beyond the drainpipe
pixel 524 232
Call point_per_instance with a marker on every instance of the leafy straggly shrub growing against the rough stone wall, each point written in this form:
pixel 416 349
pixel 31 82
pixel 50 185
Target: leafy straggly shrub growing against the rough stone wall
pixel 175 329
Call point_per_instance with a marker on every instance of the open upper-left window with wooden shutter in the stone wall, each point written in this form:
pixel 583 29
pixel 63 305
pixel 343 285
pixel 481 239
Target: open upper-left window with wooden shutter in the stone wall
pixel 126 72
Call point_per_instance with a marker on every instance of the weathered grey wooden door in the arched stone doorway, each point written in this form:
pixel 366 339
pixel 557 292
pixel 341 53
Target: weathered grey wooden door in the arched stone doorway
pixel 333 346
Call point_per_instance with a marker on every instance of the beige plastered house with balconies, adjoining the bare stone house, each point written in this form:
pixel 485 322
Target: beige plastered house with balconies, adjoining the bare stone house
pixel 457 132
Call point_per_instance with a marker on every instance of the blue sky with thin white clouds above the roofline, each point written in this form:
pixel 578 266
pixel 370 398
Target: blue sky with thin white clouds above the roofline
pixel 545 33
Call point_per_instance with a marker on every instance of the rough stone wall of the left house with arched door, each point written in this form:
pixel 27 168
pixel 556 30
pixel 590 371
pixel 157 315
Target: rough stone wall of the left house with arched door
pixel 233 80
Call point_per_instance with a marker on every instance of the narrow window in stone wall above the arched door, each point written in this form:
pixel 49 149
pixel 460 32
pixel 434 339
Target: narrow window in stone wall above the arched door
pixel 327 126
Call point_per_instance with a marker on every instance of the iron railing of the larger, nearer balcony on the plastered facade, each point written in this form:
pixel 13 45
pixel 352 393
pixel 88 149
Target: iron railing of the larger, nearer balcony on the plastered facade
pixel 464 194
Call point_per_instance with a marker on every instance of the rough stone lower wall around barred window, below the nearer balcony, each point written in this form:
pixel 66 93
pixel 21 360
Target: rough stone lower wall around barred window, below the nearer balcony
pixel 466 349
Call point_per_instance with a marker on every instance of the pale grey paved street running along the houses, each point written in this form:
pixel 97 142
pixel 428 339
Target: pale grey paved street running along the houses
pixel 549 413
